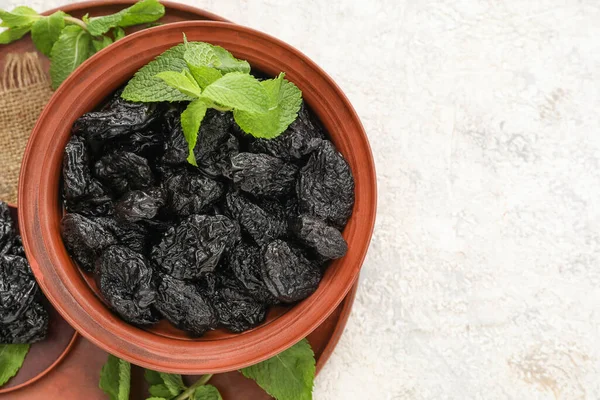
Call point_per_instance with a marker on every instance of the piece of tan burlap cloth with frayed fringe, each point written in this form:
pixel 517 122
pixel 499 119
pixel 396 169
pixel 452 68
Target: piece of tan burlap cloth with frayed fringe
pixel 24 90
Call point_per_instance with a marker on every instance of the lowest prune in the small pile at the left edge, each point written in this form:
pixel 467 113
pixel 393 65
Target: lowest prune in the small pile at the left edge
pixel 31 327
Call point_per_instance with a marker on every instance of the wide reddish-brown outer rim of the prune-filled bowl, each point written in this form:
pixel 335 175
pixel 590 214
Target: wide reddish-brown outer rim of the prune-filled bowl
pixel 147 351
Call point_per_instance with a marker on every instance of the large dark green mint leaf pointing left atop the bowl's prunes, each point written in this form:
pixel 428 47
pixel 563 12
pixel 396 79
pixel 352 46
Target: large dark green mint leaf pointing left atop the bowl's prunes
pixel 146 87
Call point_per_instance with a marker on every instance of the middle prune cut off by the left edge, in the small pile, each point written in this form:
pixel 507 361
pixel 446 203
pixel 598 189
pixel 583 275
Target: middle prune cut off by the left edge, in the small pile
pixel 18 288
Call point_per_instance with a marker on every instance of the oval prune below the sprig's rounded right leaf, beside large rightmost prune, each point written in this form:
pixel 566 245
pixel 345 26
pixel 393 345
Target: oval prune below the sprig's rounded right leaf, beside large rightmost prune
pixel 263 175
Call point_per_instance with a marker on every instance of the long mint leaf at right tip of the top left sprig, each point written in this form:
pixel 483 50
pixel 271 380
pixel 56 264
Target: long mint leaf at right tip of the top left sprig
pixel 139 13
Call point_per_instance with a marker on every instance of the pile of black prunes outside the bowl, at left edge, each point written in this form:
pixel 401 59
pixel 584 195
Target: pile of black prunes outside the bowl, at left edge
pixel 23 319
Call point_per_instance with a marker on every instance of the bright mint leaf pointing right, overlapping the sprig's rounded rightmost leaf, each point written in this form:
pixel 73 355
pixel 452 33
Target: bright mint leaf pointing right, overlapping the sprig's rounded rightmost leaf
pixel 239 91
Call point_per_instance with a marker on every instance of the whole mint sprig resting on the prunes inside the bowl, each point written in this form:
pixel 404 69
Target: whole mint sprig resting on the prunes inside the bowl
pixel 209 76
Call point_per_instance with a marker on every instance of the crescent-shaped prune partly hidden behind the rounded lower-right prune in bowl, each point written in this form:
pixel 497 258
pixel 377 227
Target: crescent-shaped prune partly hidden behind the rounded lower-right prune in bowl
pixel 244 267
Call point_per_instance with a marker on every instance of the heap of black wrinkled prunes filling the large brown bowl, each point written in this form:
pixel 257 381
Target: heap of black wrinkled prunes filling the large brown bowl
pixel 254 225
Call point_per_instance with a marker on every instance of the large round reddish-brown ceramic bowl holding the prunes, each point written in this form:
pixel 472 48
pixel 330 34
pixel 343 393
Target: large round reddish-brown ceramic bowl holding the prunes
pixel 164 348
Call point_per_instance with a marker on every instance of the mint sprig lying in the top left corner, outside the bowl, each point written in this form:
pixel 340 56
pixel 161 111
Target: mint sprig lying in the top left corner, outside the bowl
pixel 69 41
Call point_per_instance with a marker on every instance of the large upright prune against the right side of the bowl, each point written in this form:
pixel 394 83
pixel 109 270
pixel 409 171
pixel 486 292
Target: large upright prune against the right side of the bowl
pixel 325 186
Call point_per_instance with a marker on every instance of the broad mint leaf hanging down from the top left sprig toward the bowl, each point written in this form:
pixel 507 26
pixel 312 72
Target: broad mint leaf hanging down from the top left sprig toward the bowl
pixel 70 50
